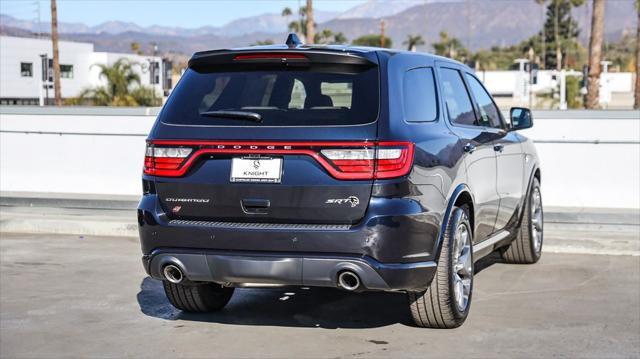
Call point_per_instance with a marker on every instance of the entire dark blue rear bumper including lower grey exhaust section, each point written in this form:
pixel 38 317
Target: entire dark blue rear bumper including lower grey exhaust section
pixel 393 248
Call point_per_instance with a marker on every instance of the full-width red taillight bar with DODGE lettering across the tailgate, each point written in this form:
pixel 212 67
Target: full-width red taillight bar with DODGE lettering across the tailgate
pixel 343 160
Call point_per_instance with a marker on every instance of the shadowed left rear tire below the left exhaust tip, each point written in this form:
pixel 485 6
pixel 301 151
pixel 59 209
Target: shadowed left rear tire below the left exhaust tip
pixel 207 297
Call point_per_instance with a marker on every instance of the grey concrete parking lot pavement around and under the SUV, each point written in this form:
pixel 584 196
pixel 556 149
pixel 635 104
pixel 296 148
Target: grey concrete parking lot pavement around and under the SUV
pixel 74 296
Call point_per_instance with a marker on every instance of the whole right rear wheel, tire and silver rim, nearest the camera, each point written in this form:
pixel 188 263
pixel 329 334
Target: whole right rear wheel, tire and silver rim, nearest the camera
pixel 437 306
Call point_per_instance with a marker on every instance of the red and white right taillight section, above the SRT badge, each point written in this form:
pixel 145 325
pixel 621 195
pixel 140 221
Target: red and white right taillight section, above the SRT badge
pixel 386 160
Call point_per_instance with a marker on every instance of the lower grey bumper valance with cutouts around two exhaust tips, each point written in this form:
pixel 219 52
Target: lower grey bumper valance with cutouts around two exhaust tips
pixel 288 269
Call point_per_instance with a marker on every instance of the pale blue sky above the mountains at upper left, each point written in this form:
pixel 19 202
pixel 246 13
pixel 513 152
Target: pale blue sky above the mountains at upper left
pixel 181 13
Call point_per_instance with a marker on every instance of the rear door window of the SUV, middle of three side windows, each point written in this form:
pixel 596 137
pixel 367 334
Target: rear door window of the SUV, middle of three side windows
pixel 456 98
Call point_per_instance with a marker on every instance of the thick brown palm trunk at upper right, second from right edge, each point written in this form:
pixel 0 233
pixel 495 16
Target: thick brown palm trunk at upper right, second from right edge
pixel 595 53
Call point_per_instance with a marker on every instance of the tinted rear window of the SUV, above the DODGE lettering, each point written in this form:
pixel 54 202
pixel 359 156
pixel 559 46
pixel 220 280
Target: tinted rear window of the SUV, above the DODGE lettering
pixel 282 97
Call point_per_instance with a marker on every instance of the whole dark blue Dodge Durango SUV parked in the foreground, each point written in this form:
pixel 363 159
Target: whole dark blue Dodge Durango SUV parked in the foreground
pixel 335 166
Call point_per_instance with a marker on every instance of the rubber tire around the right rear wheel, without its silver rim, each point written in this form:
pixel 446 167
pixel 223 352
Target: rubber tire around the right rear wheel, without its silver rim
pixel 436 307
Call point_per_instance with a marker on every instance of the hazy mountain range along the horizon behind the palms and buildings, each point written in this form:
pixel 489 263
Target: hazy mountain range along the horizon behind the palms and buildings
pixel 478 24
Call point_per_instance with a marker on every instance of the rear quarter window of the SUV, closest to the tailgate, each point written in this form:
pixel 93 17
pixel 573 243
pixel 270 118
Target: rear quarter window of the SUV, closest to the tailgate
pixel 420 100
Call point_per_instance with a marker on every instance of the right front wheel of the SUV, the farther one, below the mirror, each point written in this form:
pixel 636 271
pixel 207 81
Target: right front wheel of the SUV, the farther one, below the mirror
pixel 526 248
